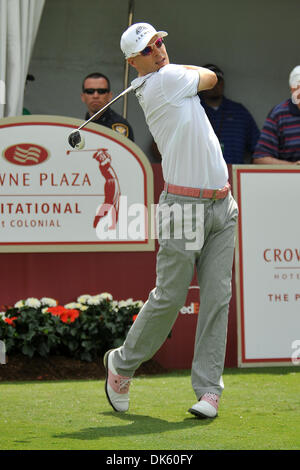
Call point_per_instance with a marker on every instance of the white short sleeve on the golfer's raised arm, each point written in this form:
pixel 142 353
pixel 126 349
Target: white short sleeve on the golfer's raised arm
pixel 179 83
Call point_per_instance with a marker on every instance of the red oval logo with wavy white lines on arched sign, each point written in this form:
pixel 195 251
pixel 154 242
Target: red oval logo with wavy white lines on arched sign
pixel 26 154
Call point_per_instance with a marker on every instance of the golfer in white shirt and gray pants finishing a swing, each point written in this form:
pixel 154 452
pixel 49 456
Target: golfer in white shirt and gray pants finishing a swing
pixel 196 177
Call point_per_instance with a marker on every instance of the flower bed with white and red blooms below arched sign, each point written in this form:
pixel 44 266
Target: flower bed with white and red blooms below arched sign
pixel 84 329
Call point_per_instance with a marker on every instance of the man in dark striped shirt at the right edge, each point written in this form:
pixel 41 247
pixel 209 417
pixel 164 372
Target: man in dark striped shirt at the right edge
pixel 279 141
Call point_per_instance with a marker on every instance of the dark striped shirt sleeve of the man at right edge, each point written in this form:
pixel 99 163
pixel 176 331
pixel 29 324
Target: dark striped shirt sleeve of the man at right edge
pixel 268 142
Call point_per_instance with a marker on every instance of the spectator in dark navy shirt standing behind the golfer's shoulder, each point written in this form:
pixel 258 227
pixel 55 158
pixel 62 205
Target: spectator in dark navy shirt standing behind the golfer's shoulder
pixel 232 123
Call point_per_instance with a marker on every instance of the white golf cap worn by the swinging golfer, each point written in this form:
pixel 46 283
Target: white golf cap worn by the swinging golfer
pixel 136 38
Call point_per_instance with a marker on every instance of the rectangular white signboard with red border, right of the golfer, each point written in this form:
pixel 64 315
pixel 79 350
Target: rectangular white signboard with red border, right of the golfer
pixel 268 264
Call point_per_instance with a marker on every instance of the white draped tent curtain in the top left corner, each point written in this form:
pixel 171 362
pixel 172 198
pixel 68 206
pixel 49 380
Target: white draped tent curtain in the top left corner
pixel 19 22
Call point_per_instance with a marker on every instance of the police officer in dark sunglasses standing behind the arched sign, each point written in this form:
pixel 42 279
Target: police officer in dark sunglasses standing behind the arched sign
pixel 96 94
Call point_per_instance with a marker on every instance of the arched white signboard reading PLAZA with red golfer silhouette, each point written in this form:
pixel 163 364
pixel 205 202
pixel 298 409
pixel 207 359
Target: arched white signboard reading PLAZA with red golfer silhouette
pixel 55 198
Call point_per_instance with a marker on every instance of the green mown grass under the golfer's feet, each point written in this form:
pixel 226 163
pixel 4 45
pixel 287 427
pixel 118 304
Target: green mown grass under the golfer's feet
pixel 259 409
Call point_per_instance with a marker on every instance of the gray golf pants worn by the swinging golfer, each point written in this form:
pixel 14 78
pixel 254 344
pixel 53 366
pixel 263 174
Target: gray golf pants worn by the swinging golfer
pixel 175 270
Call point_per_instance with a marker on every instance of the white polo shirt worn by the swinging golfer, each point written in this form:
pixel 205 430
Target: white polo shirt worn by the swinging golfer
pixel 190 150
